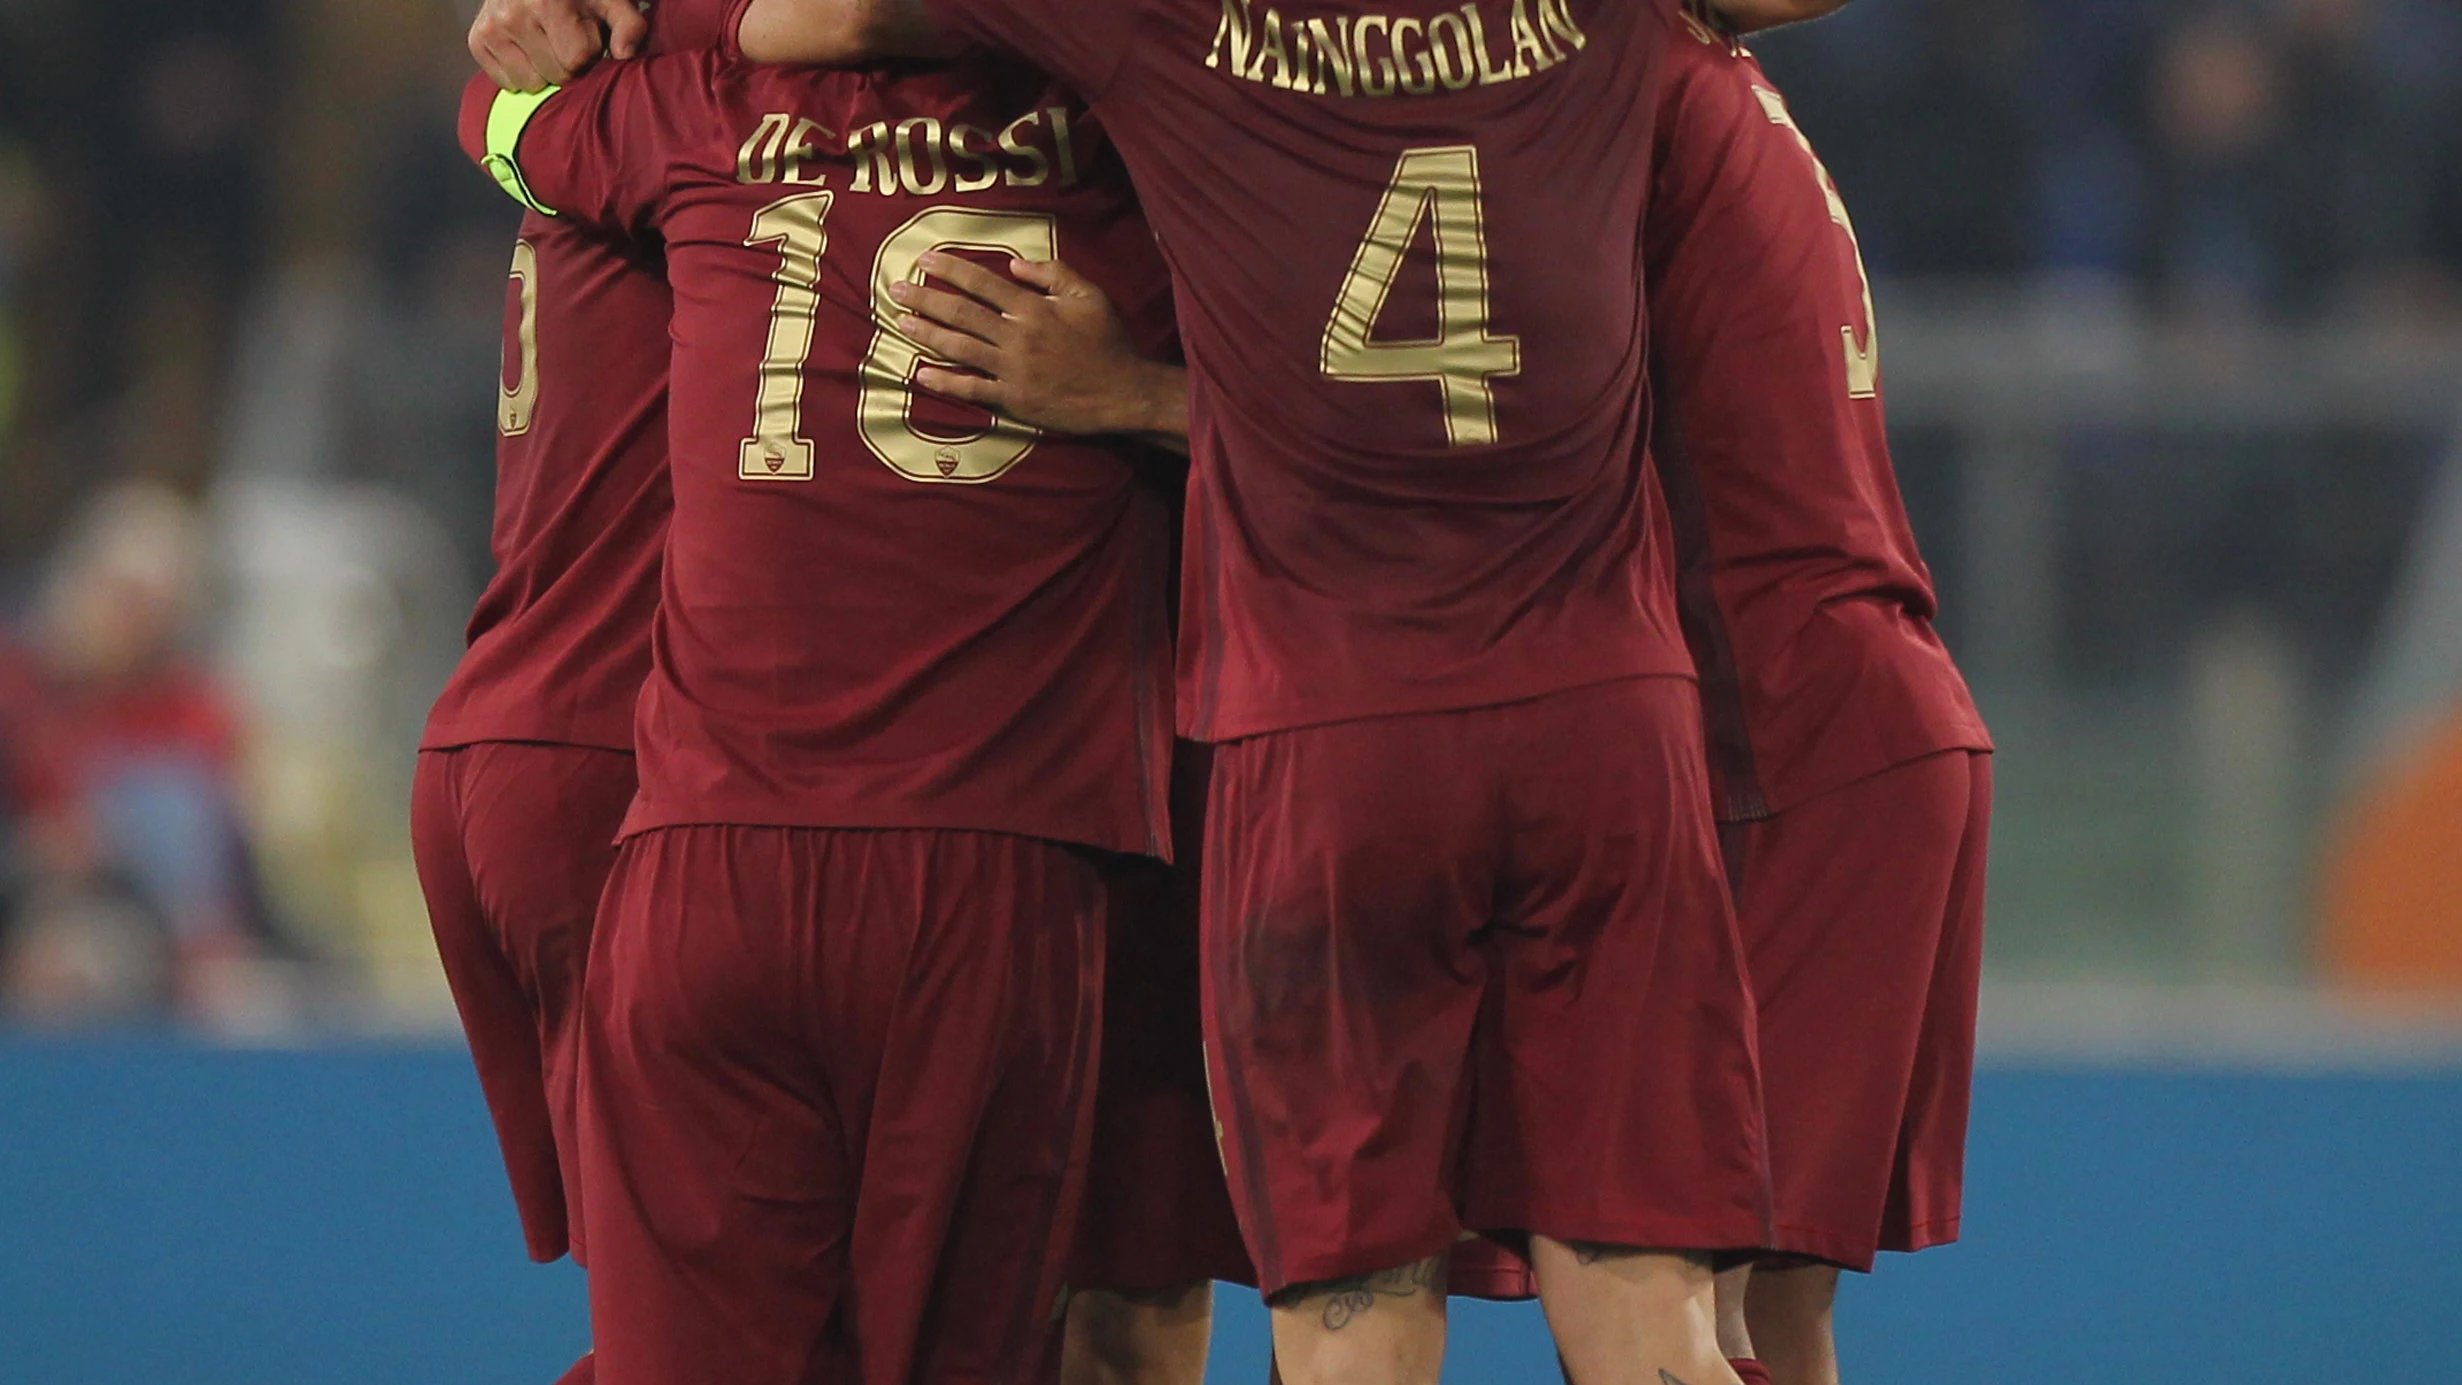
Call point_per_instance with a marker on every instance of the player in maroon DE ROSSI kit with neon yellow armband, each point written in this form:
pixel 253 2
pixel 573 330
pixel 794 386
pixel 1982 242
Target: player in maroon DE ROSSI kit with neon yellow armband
pixel 910 705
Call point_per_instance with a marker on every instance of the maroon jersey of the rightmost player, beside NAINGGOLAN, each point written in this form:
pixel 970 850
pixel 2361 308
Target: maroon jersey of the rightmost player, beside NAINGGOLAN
pixel 1806 601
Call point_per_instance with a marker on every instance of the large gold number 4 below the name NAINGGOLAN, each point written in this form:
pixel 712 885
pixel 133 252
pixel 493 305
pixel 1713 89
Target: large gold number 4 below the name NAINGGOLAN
pixel 1464 358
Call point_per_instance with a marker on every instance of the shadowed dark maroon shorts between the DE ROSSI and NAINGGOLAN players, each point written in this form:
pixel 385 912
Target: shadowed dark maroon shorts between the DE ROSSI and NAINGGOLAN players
pixel 1158 1212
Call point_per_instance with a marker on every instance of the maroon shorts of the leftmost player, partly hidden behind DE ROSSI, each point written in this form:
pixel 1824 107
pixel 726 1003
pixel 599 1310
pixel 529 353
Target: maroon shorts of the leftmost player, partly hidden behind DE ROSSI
pixel 513 847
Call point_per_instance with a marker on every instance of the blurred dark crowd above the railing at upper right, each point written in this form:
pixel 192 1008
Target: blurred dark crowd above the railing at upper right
pixel 2256 159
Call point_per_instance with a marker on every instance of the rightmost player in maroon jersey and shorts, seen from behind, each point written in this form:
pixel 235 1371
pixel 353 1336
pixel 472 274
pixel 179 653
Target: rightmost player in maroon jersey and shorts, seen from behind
pixel 1853 766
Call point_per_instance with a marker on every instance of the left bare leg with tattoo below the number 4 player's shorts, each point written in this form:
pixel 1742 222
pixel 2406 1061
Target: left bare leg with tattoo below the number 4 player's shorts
pixel 1373 1330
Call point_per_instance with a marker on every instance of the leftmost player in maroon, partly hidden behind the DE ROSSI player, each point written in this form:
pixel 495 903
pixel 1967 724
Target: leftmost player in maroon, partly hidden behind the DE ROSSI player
pixel 526 766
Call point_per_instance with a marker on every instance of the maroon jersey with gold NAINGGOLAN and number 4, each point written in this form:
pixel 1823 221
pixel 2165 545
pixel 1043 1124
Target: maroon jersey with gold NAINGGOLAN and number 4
pixel 1405 240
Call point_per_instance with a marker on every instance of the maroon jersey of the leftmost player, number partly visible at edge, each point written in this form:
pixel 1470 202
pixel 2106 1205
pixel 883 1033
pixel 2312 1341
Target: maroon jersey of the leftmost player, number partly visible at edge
pixel 563 636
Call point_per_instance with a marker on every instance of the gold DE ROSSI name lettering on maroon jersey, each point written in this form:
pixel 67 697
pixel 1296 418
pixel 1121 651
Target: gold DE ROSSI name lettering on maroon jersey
pixel 920 156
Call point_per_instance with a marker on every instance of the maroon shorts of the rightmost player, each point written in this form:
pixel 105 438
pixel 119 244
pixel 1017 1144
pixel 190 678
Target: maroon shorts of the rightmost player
pixel 1865 926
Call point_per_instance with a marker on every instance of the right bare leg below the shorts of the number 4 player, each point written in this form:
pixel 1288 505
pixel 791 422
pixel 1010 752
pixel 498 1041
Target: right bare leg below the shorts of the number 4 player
pixel 1631 1317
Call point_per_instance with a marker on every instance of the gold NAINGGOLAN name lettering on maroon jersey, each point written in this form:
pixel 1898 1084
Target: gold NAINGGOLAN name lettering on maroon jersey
pixel 1395 55
